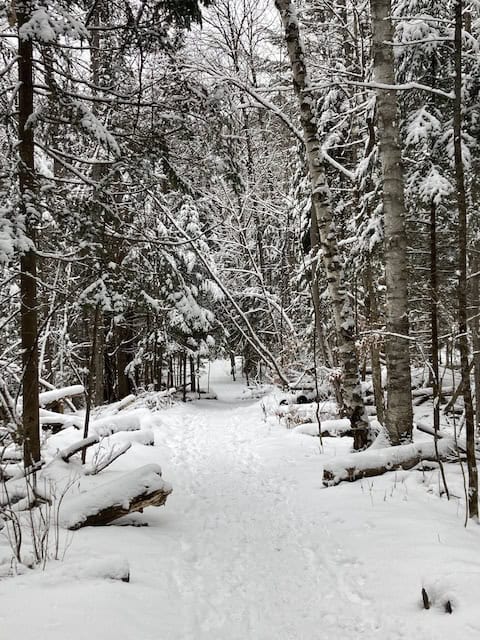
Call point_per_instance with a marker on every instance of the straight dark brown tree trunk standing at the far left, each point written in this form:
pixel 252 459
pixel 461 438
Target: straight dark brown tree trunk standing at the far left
pixel 28 262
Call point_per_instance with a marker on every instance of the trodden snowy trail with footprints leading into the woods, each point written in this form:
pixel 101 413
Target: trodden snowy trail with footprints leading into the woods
pixel 257 566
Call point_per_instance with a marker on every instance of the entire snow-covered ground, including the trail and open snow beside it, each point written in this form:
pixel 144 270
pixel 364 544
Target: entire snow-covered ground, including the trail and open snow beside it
pixel 251 546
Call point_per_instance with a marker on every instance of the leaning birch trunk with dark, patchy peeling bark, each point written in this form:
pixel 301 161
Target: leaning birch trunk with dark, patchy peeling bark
pixel 322 218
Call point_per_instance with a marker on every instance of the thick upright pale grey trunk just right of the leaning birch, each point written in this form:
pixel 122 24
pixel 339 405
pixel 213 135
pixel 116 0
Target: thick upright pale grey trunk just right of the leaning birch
pixel 399 414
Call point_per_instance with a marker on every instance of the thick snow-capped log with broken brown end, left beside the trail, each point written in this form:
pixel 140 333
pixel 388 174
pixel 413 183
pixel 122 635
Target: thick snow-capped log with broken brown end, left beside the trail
pixel 143 487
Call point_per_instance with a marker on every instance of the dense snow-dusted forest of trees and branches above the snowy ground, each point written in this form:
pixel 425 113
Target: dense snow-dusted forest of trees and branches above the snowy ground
pixel 169 195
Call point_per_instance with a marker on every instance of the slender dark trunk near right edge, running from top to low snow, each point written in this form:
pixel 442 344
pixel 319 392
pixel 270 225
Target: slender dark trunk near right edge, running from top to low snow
pixel 462 269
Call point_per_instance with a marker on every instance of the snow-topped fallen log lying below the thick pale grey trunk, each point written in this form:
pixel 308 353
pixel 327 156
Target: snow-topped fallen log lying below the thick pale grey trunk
pixel 375 462
